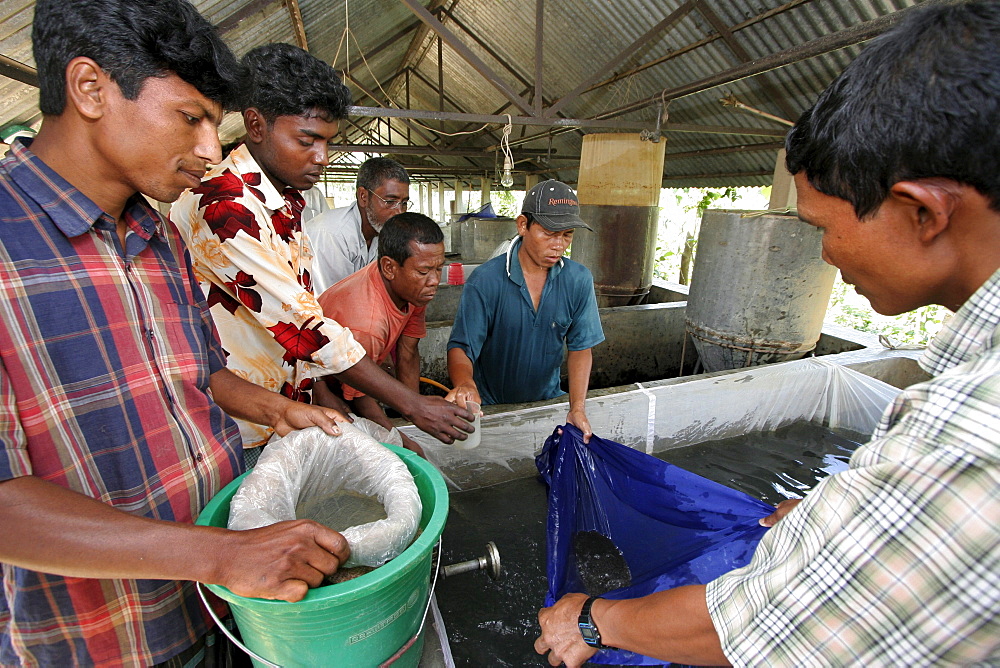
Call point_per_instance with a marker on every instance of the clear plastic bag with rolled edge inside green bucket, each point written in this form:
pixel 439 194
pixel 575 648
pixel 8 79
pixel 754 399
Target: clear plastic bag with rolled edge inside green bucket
pixel 347 474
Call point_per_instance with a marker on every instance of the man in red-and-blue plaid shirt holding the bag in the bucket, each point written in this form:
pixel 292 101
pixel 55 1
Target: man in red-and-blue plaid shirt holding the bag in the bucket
pixel 112 380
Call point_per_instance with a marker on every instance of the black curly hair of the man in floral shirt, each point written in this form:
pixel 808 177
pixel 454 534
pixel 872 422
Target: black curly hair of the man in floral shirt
pixel 284 80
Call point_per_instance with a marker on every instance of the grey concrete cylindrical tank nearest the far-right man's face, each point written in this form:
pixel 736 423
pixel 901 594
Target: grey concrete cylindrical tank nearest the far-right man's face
pixel 759 289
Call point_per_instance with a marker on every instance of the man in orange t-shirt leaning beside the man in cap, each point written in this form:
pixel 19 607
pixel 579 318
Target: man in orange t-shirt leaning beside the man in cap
pixel 383 304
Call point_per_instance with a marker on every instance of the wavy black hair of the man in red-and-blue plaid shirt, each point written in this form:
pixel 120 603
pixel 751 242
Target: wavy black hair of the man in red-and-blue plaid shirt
pixel 131 40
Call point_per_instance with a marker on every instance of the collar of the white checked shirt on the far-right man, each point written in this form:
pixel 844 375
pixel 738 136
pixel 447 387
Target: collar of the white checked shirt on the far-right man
pixel 968 331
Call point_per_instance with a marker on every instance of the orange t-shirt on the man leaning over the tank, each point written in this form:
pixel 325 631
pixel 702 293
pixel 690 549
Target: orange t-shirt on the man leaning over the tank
pixel 361 303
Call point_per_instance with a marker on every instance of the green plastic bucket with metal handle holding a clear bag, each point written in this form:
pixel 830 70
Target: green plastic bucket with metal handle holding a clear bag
pixel 361 622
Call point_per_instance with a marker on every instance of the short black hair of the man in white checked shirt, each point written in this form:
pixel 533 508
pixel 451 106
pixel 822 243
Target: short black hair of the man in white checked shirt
pixel 921 101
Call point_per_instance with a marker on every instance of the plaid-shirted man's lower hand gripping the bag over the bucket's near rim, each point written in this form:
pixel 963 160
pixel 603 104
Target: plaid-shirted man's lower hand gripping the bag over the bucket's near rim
pixel 281 561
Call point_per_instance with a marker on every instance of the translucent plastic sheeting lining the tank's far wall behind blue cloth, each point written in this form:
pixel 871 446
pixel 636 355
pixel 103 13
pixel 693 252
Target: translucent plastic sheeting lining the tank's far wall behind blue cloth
pixel 662 415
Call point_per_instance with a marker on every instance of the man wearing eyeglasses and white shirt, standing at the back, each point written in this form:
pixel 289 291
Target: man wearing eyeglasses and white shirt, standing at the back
pixel 345 240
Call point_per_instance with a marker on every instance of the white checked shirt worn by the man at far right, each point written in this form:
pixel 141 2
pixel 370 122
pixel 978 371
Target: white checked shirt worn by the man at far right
pixel 896 561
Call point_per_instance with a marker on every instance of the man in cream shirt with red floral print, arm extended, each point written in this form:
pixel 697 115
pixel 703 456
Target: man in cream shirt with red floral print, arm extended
pixel 243 228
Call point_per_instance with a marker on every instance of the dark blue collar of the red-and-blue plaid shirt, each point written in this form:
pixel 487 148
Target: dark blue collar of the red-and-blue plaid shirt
pixel 69 209
